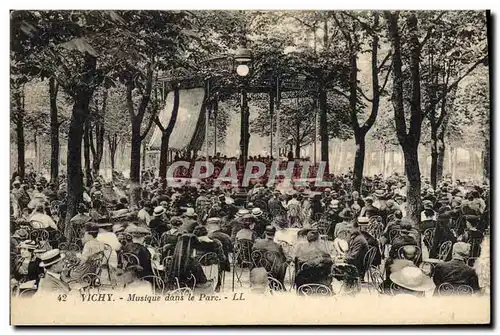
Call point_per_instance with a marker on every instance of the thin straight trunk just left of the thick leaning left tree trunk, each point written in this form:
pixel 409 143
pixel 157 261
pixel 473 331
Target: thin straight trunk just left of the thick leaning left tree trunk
pixel 54 132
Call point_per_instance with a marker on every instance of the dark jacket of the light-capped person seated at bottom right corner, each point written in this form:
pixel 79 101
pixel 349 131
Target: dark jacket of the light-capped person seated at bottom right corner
pixel 457 273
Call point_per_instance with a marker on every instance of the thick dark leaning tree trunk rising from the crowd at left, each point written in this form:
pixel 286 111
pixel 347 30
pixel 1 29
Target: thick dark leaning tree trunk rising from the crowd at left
pixel 74 158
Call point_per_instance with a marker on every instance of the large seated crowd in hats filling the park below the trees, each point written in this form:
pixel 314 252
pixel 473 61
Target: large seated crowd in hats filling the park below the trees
pixel 313 241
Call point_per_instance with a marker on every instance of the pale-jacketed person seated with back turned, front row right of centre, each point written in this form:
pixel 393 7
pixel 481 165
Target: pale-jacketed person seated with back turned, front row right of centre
pixel 313 261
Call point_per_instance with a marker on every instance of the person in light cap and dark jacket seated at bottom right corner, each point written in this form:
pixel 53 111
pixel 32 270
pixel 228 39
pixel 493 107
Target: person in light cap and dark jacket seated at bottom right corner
pixel 456 272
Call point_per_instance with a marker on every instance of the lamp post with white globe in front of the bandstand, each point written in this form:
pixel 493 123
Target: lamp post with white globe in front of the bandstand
pixel 242 63
